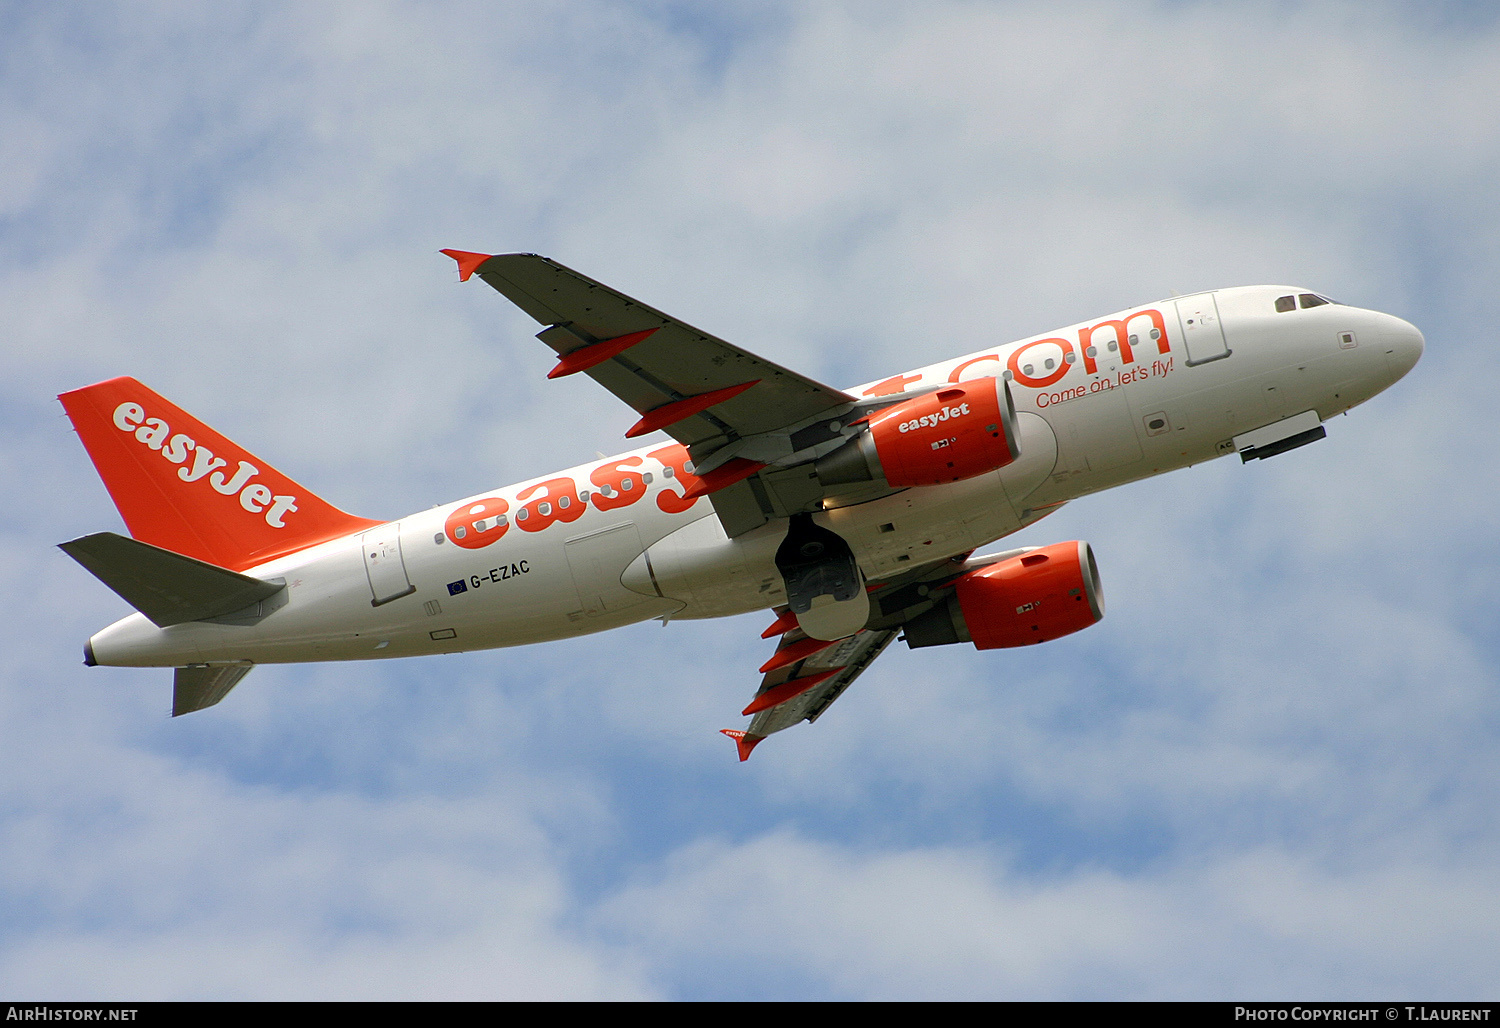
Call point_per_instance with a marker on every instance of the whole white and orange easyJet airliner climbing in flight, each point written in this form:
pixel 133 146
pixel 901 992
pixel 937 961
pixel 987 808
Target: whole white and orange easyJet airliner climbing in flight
pixel 853 517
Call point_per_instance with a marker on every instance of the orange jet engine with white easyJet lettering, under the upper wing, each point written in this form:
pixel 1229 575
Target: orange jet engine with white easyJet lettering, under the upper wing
pixel 956 433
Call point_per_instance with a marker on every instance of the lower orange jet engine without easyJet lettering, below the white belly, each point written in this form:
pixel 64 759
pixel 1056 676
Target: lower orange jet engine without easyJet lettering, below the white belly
pixel 1037 597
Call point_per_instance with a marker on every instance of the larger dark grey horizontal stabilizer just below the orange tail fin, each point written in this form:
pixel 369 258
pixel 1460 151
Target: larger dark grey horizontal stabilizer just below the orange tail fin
pixel 167 588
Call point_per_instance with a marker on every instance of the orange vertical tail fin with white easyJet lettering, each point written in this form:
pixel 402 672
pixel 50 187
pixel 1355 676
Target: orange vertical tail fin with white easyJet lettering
pixel 184 487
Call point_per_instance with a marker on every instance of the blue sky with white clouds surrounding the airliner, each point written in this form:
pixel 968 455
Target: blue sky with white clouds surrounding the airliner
pixel 1270 772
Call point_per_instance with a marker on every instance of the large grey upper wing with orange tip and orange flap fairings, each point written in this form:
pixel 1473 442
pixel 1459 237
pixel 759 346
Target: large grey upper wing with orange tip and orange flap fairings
pixel 734 412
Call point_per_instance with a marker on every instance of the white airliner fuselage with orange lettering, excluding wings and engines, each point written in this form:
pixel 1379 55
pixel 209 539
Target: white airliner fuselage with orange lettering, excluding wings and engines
pixel 613 543
